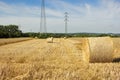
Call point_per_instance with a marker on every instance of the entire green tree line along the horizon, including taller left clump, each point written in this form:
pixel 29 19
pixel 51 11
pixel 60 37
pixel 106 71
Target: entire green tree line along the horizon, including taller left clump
pixel 12 31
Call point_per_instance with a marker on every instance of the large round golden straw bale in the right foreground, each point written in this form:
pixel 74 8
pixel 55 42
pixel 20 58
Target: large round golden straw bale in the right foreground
pixel 101 49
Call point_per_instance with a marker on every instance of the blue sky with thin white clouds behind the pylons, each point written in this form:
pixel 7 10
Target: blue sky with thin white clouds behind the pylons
pixel 94 16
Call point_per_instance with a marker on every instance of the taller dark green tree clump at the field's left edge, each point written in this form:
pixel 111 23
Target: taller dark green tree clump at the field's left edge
pixel 9 31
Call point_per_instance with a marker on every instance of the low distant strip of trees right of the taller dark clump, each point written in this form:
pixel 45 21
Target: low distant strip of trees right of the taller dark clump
pixel 59 35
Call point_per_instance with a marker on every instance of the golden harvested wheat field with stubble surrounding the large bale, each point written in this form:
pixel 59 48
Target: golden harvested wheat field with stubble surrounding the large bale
pixel 63 59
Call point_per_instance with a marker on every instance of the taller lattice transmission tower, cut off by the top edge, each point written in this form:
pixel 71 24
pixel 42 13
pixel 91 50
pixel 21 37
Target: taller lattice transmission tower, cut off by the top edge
pixel 43 27
